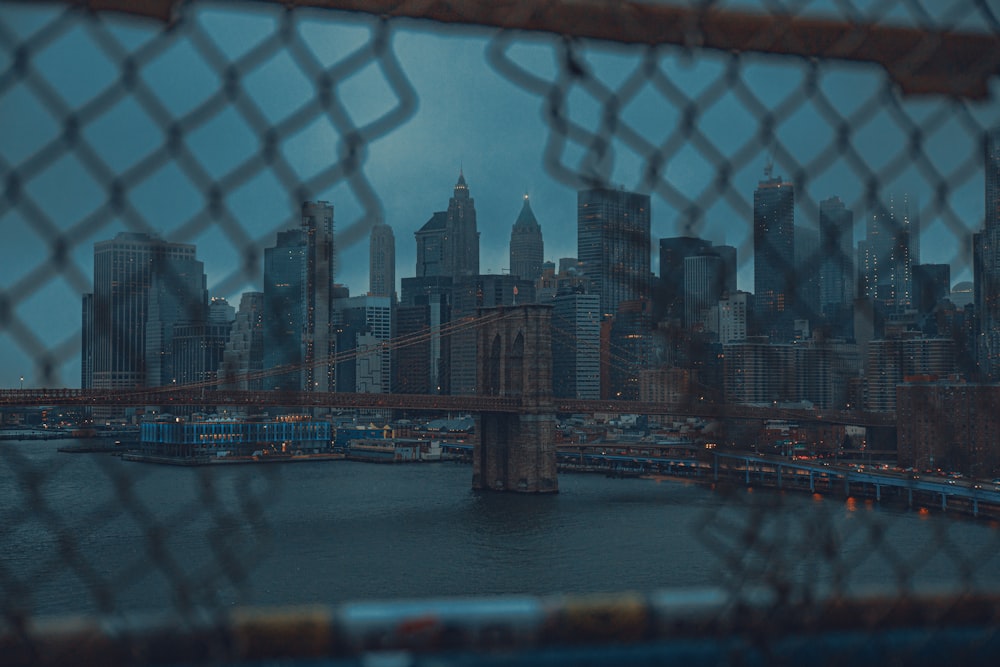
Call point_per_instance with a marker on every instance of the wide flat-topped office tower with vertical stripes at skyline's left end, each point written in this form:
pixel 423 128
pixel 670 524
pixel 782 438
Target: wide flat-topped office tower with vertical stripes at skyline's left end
pixel 130 271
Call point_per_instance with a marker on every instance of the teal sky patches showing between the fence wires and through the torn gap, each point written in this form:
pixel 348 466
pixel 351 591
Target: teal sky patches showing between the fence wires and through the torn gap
pixel 409 169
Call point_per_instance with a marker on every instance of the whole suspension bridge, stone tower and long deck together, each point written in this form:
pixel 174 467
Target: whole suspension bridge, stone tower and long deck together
pixel 514 407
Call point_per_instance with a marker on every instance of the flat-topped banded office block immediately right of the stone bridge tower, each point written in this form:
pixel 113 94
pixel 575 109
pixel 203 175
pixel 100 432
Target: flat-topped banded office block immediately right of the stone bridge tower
pixel 576 346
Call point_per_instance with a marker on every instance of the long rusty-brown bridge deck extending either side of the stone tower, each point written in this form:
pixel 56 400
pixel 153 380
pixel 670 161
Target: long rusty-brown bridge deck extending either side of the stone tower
pixel 167 396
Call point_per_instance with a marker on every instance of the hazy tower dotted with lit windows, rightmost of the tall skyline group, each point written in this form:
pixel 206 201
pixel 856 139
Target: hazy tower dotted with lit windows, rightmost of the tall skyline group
pixel 886 257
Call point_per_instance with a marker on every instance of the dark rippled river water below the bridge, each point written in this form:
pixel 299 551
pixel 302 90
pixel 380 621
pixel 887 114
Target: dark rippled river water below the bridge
pixel 89 532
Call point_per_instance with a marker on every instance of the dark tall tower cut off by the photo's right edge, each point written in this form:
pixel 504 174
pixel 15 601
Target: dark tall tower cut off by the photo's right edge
pixel 986 266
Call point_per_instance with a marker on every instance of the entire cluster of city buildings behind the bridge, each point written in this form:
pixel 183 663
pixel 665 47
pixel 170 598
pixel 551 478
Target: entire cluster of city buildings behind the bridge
pixel 830 323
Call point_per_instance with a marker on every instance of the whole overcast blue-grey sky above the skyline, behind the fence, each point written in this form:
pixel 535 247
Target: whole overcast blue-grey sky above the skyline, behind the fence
pixel 467 116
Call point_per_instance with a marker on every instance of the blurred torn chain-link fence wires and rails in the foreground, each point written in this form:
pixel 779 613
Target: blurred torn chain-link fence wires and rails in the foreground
pixel 948 56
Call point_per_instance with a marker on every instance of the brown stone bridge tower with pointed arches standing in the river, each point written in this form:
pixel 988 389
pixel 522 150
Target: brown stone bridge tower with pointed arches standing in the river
pixel 516 451
